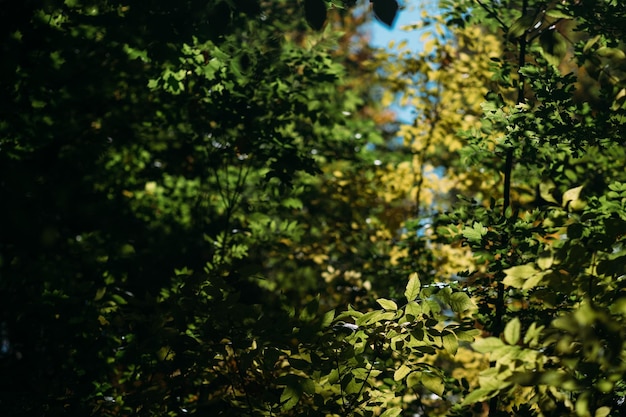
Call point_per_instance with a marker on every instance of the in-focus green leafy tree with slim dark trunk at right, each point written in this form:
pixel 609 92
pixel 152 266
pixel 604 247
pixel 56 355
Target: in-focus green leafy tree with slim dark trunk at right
pixel 546 283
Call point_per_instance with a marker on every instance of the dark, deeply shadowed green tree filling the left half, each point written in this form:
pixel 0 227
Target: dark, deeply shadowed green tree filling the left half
pixel 148 160
